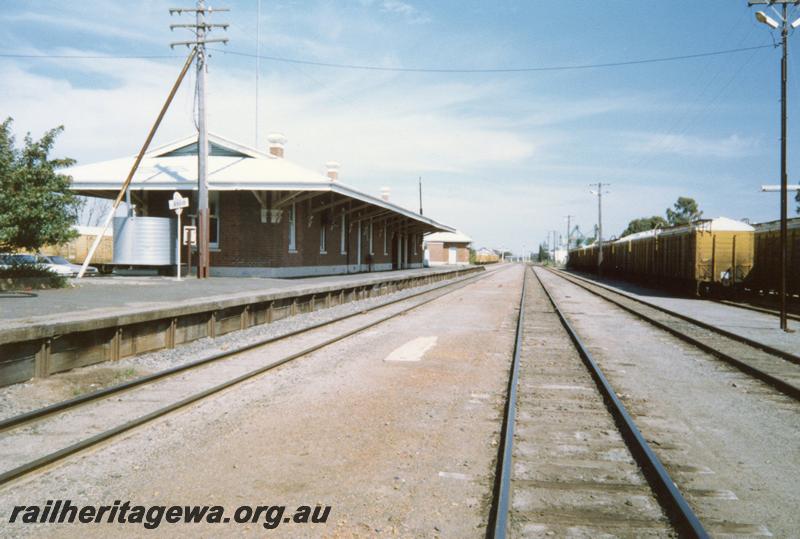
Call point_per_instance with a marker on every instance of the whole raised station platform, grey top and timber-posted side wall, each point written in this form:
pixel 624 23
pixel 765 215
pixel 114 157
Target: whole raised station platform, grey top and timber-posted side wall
pixel 107 318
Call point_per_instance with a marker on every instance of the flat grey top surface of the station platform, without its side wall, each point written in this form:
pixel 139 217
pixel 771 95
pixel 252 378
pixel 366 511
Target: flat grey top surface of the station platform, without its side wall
pixel 102 295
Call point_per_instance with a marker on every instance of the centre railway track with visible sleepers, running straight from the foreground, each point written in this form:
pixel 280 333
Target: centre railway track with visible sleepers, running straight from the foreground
pixel 572 461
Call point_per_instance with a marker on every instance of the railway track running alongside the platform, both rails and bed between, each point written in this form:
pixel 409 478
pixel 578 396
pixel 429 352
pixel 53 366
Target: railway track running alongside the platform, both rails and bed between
pixel 44 437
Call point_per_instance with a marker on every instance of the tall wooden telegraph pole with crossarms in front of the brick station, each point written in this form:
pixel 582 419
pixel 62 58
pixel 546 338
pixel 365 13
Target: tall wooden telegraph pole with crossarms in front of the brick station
pixel 200 29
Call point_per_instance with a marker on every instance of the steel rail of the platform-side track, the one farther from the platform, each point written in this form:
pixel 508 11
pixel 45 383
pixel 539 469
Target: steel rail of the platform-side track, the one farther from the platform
pixel 76 447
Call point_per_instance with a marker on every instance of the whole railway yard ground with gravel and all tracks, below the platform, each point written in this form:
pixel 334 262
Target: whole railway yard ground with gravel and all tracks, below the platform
pixel 506 402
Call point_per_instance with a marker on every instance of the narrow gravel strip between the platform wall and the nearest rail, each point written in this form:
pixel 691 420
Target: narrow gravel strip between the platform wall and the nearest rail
pixel 23 397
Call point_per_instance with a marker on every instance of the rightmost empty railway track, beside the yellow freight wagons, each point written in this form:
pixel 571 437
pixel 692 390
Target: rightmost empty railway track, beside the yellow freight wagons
pixel 777 368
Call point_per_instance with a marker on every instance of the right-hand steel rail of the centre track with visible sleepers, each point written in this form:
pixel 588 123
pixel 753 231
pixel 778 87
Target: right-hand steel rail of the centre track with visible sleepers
pixel 683 518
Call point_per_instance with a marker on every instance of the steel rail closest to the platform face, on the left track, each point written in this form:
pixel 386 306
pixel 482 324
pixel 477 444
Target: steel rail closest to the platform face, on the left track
pixel 105 392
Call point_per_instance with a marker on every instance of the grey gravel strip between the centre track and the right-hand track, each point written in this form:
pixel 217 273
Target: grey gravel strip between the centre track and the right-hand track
pixel 729 441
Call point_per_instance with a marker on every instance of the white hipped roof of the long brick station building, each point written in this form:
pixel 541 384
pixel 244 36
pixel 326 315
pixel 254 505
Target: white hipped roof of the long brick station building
pixel 231 167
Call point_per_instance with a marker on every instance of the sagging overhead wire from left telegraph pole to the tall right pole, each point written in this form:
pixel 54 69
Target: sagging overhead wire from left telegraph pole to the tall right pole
pixel 574 67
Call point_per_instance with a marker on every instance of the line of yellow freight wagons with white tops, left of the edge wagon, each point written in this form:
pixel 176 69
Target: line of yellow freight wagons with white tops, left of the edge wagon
pixel 701 257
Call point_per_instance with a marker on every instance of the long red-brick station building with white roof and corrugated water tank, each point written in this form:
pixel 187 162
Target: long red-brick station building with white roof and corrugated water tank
pixel 269 217
